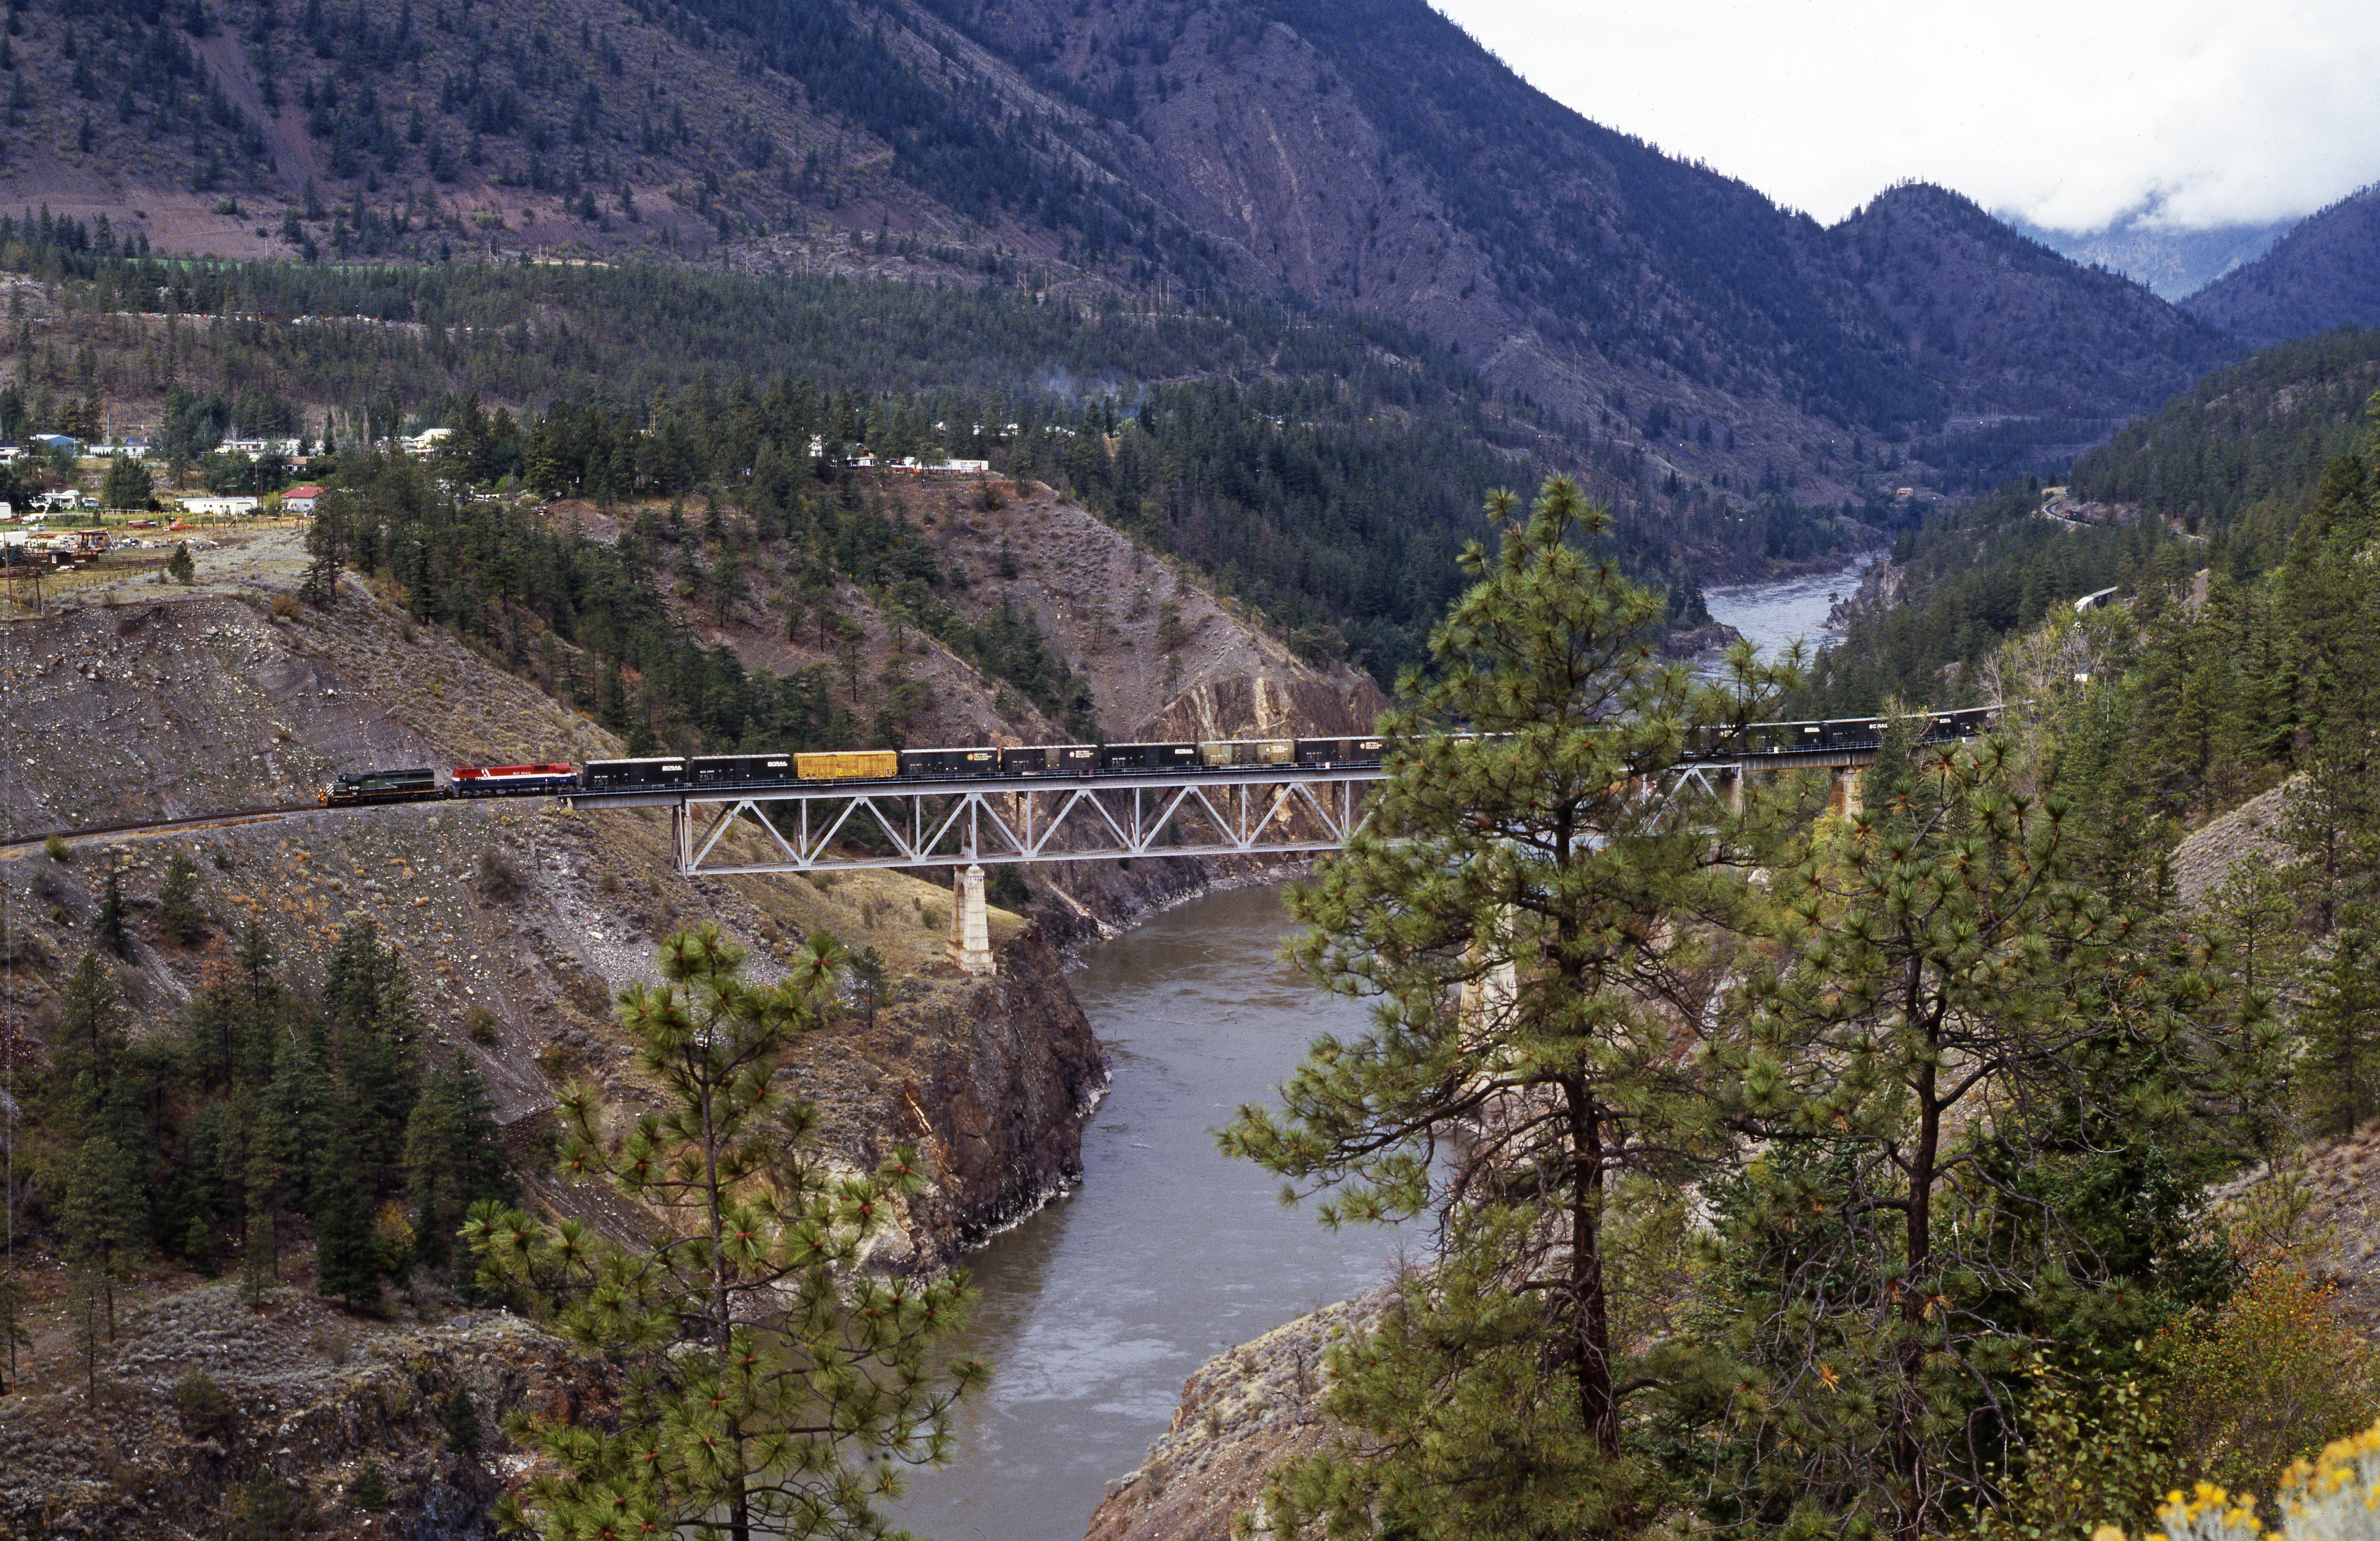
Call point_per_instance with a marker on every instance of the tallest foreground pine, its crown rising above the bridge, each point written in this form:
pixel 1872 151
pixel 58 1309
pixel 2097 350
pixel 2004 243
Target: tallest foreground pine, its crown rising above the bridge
pixel 1517 906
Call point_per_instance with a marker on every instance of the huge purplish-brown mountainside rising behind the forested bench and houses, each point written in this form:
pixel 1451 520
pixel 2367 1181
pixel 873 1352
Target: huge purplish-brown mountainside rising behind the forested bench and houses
pixel 1339 154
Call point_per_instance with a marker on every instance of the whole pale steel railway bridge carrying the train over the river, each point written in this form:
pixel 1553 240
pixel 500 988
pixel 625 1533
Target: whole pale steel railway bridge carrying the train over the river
pixel 1060 818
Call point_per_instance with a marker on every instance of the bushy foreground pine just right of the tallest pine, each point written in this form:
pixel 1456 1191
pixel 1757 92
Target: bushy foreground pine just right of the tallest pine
pixel 1958 1044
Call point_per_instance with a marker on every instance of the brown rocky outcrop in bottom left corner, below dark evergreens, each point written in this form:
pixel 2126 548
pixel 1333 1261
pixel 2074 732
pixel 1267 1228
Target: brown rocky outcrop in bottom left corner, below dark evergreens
pixel 211 1411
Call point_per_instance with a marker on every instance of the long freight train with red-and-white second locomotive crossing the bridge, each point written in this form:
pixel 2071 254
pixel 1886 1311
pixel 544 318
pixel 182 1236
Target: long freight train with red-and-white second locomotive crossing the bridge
pixel 1056 761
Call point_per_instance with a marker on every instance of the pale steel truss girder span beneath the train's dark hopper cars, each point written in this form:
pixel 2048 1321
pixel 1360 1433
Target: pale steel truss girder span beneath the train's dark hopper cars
pixel 956 825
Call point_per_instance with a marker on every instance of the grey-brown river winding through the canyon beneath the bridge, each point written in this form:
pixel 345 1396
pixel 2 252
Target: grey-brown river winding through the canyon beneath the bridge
pixel 1101 1306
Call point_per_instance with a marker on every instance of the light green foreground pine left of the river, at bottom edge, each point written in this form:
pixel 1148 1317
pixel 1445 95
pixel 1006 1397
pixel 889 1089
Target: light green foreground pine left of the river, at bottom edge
pixel 772 1387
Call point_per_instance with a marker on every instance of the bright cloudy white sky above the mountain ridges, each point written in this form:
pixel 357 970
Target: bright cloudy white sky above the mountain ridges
pixel 2072 113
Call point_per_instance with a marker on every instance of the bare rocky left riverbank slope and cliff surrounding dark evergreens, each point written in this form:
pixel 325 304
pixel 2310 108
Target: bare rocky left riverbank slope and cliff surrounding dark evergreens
pixel 518 925
